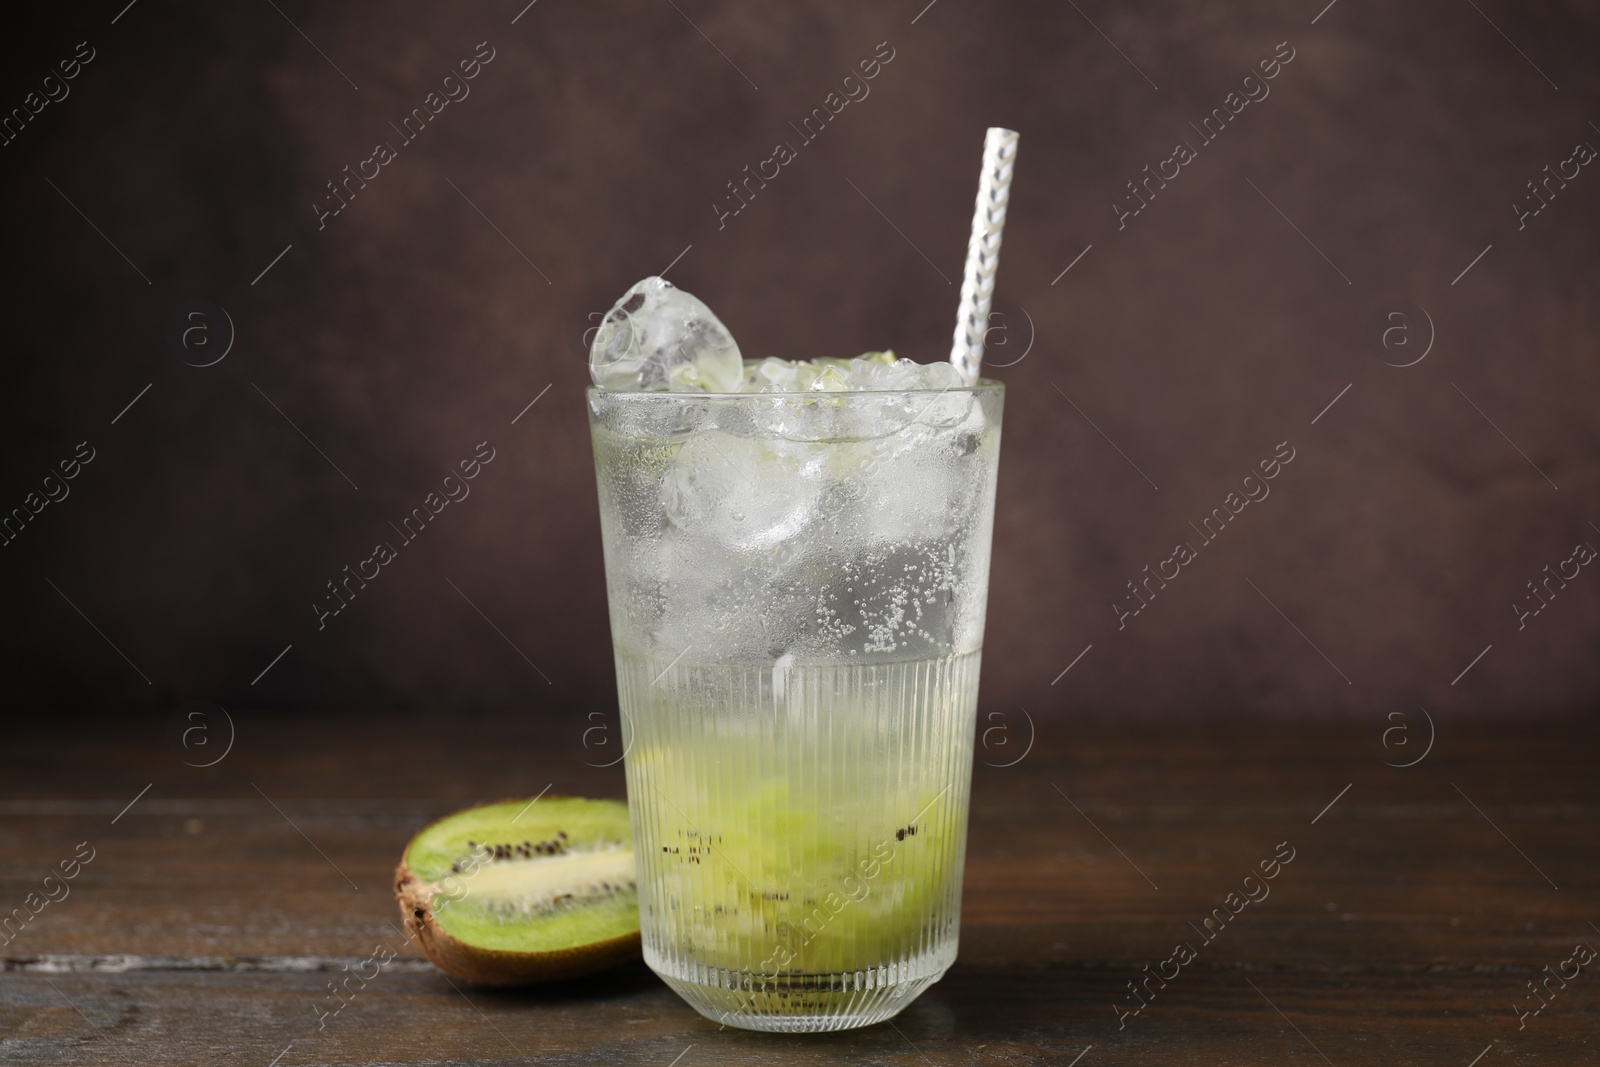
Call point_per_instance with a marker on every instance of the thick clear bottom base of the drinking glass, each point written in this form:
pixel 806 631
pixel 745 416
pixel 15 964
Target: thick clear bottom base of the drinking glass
pixel 801 1004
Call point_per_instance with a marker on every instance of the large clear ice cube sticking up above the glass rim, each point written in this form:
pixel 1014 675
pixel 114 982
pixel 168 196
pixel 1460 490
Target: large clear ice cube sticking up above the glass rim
pixel 662 338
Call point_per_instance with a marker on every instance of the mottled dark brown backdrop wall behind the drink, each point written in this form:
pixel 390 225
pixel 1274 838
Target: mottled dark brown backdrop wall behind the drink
pixel 598 140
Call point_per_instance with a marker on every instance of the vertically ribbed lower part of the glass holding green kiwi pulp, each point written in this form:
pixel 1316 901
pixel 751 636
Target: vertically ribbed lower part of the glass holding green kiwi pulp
pixel 801 842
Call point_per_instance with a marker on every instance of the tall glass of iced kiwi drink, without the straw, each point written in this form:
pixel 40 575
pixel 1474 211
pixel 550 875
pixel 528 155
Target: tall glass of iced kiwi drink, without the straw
pixel 798 561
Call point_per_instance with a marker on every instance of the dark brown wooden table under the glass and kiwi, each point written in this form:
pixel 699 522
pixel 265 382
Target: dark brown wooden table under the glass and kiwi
pixel 1420 903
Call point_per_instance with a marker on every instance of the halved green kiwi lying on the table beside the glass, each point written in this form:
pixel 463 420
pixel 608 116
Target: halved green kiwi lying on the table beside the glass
pixel 524 892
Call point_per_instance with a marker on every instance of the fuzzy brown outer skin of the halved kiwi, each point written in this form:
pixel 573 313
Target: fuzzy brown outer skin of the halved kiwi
pixel 500 967
